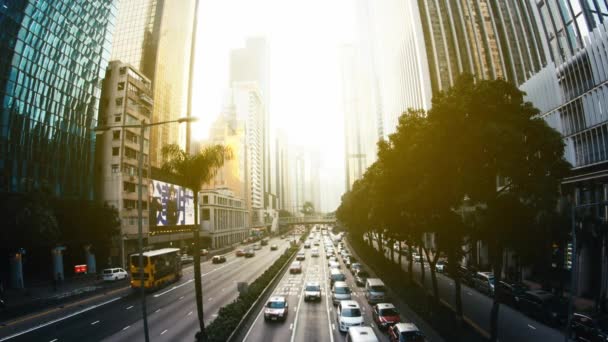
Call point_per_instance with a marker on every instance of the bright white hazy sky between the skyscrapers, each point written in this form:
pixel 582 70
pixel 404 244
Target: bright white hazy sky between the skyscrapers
pixel 305 89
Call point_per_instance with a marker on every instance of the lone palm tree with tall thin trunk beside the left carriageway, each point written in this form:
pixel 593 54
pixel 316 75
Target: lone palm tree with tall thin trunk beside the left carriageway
pixel 194 171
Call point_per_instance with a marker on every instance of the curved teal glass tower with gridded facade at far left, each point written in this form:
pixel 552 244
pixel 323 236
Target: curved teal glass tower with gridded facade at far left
pixel 53 59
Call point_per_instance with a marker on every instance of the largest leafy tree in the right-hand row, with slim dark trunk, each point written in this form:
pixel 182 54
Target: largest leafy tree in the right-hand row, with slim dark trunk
pixel 510 161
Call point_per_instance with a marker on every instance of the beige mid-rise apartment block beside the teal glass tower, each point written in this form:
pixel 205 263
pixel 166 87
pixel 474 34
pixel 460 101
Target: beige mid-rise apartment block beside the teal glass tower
pixel 126 99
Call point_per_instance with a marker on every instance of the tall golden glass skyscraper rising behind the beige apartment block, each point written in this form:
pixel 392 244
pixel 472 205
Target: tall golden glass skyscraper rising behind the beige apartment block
pixel 155 36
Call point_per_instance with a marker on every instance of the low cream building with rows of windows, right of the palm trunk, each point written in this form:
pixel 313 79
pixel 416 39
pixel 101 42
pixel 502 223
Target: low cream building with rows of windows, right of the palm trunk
pixel 224 217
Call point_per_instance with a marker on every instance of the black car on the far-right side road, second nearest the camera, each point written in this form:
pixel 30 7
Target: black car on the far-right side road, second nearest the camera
pixel 544 307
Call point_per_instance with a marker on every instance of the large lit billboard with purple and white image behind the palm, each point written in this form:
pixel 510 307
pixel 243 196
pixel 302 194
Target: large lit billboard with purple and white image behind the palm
pixel 170 204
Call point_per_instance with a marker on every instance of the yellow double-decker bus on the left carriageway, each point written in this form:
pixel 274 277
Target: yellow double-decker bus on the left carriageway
pixel 161 267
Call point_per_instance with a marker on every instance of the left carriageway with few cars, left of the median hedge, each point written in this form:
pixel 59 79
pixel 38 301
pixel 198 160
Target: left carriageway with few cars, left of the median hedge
pixel 116 315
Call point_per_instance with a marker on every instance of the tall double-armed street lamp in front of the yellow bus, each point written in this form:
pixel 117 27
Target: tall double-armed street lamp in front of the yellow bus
pixel 140 160
